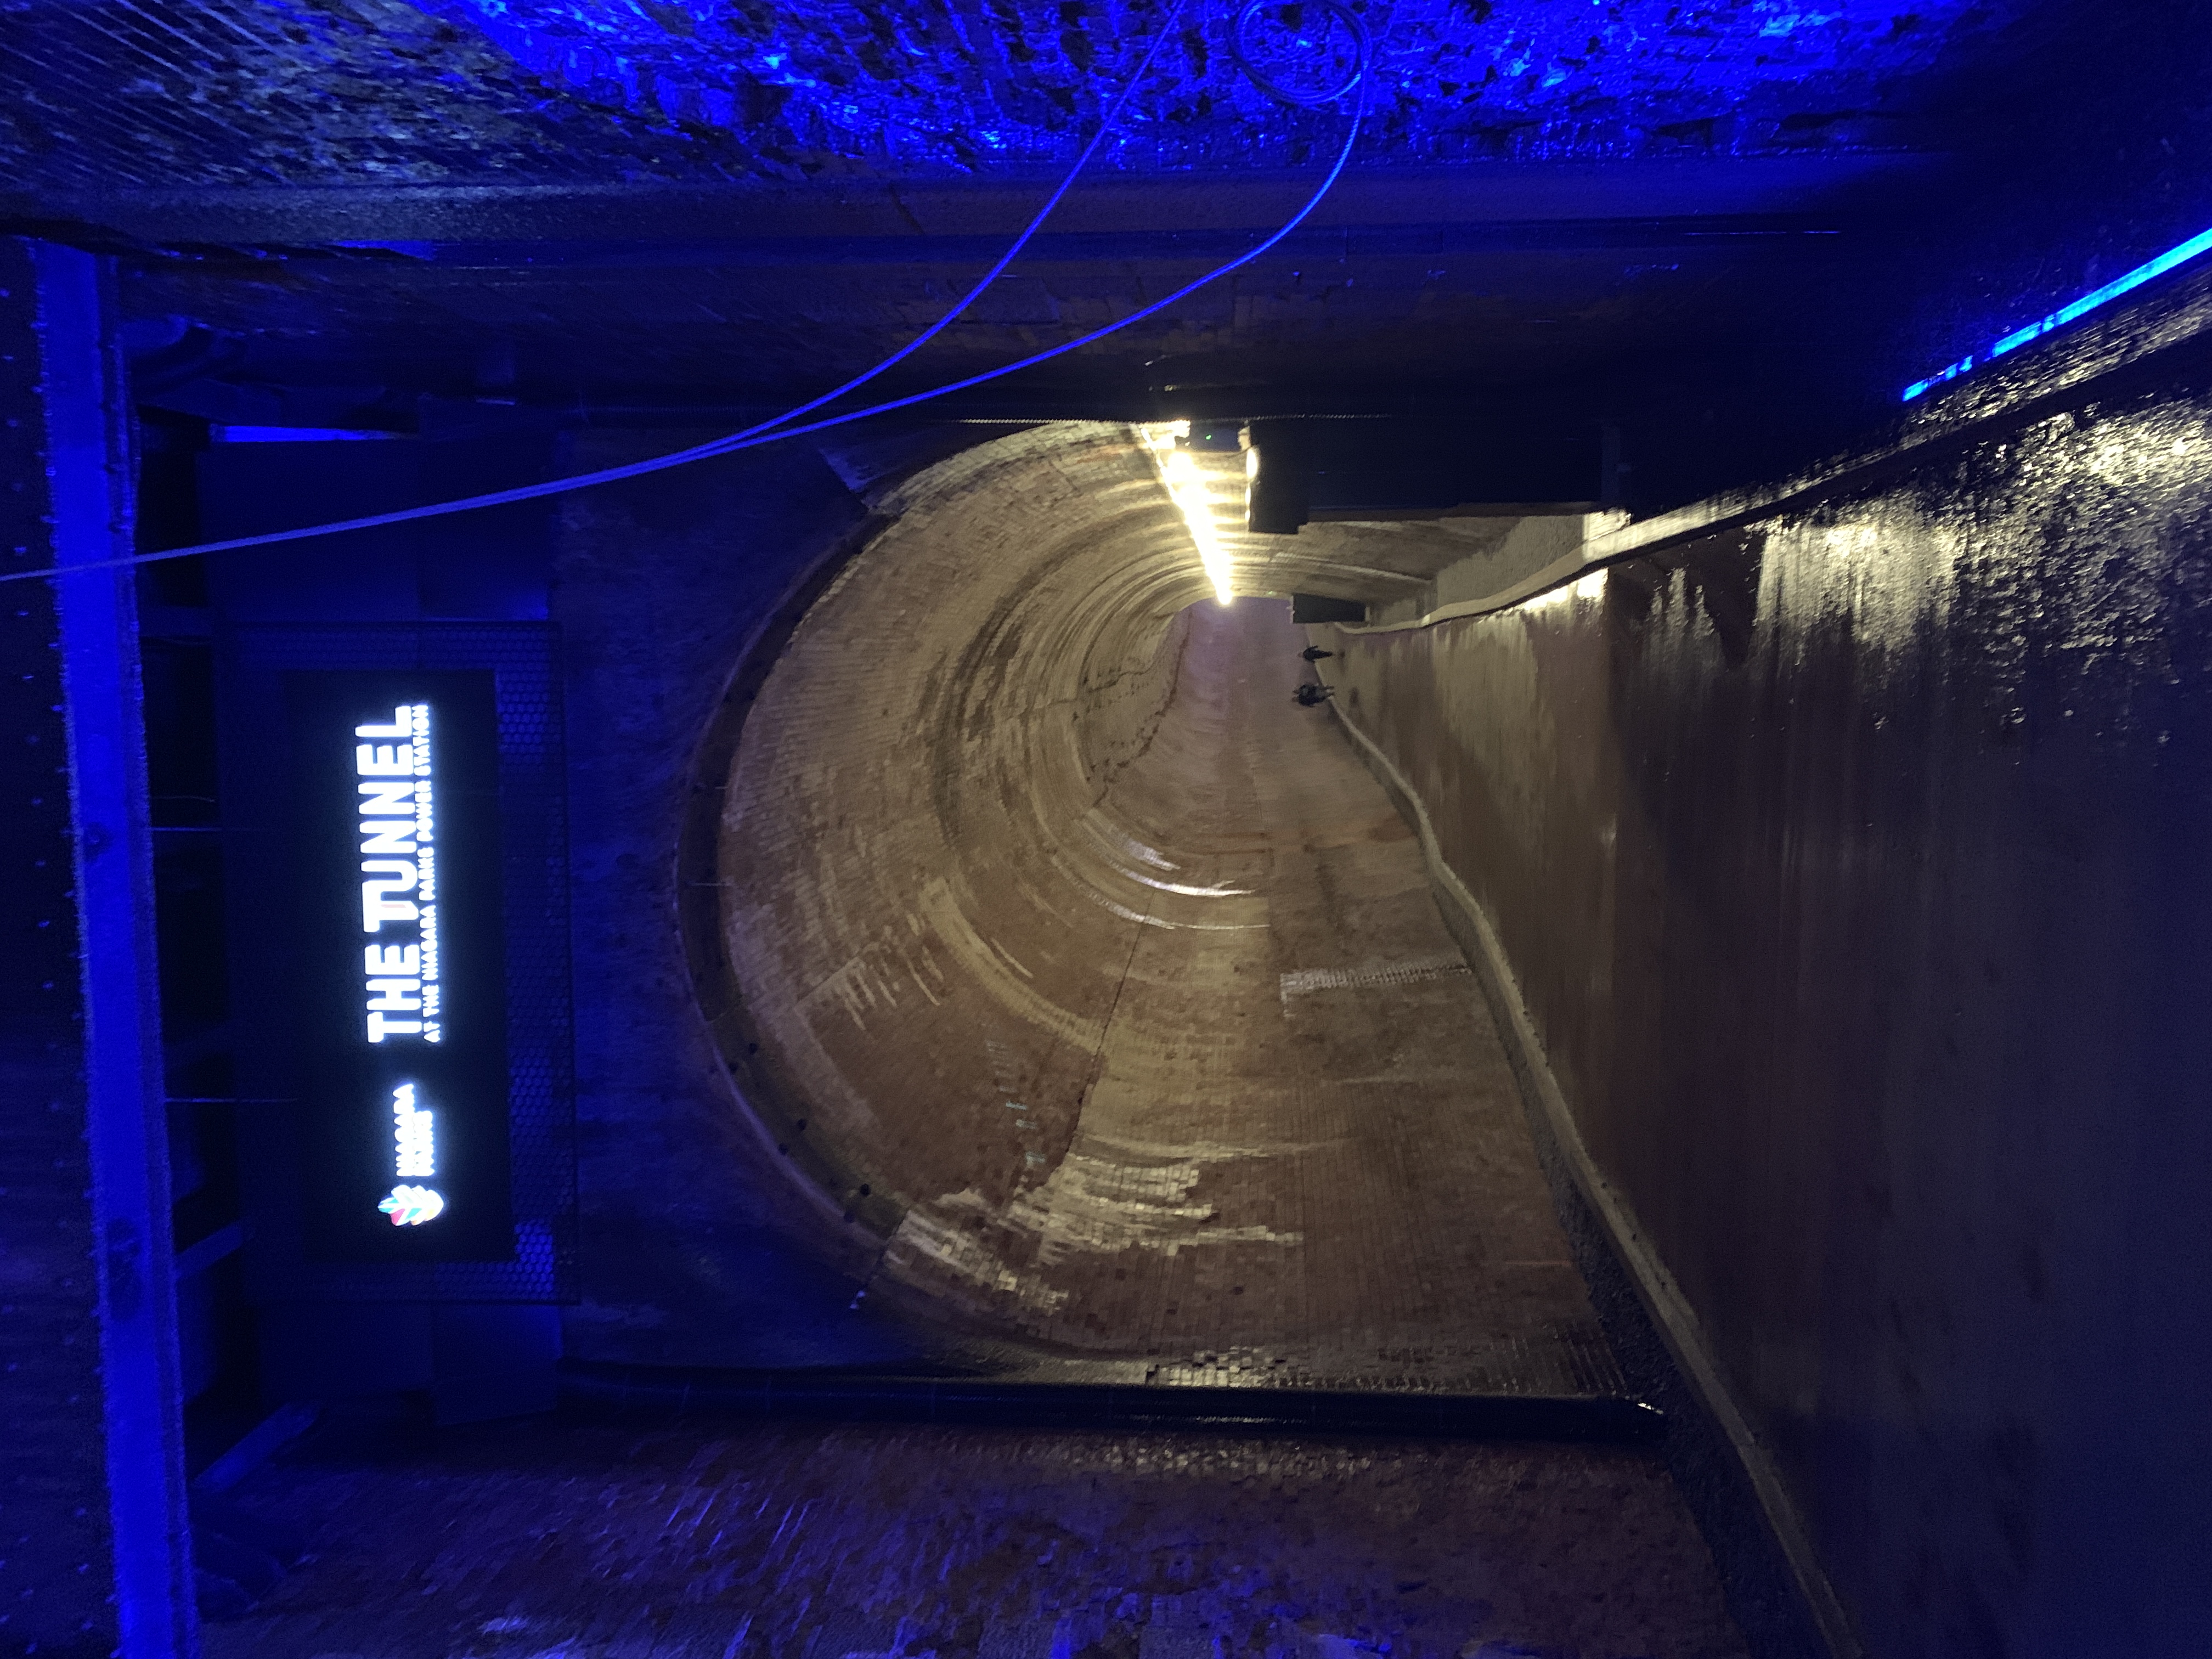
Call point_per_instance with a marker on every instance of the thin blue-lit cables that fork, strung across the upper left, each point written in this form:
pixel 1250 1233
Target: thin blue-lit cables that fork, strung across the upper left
pixel 775 430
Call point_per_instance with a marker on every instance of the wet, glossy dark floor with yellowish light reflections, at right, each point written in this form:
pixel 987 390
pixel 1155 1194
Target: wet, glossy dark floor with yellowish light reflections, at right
pixel 1850 864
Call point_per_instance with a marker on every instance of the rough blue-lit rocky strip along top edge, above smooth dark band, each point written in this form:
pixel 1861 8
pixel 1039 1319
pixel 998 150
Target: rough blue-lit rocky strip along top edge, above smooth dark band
pixel 375 92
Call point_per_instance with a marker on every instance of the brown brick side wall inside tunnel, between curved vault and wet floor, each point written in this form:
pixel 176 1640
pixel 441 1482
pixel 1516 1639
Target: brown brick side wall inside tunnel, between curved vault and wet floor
pixel 1302 1158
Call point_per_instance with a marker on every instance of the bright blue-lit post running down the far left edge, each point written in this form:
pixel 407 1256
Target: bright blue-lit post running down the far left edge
pixel 90 523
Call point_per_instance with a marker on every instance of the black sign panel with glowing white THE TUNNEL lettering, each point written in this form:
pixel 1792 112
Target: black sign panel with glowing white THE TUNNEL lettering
pixel 401 1001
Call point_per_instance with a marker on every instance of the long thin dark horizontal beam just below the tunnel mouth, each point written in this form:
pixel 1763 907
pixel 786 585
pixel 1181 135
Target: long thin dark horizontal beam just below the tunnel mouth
pixel 886 1397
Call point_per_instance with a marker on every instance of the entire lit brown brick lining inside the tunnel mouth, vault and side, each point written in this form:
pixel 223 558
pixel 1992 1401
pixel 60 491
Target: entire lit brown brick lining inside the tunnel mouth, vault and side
pixel 1100 979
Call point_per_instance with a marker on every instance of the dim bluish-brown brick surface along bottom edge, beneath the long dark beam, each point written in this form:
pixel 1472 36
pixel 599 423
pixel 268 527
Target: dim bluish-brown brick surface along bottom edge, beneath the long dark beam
pixel 583 1541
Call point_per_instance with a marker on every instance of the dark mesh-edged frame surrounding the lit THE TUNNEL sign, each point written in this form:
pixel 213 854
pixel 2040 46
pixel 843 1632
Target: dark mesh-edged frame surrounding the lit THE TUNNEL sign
pixel 293 879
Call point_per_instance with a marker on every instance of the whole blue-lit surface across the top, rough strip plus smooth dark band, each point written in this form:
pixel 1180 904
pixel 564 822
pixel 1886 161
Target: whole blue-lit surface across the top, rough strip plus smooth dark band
pixel 1561 213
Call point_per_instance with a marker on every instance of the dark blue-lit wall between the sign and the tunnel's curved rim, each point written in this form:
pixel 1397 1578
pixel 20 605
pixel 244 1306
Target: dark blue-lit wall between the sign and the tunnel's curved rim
pixel 693 1244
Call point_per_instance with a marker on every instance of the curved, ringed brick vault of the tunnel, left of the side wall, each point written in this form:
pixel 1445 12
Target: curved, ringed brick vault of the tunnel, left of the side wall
pixel 928 895
